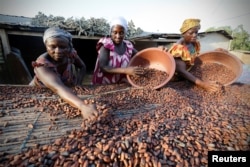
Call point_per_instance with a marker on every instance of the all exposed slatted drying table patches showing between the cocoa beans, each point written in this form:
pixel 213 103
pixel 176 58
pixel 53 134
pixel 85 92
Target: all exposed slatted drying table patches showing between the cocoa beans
pixel 21 128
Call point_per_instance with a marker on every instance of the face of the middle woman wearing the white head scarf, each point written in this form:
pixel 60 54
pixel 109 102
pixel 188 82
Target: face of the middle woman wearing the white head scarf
pixel 117 34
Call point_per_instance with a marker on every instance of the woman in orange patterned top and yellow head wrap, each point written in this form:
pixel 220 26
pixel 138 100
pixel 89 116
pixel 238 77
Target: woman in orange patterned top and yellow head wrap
pixel 186 50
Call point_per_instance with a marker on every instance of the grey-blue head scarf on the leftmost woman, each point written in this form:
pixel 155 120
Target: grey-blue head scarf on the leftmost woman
pixel 53 32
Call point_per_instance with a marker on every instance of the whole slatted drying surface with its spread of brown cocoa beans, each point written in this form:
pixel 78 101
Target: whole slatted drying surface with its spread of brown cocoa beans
pixel 175 125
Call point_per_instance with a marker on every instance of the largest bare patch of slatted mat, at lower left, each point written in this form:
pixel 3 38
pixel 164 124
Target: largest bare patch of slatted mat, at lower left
pixel 18 135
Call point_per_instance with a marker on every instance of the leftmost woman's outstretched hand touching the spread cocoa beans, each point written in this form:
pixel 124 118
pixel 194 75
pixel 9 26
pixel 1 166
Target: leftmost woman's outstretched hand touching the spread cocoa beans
pixel 89 111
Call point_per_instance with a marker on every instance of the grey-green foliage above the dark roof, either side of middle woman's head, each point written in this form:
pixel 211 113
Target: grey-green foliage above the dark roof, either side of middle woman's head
pixel 82 26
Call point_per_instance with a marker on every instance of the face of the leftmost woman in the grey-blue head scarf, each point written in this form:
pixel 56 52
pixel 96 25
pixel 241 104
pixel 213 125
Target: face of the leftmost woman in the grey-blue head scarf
pixel 57 48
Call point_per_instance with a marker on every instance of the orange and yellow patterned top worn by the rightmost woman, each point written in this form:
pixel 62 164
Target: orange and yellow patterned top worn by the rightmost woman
pixel 186 53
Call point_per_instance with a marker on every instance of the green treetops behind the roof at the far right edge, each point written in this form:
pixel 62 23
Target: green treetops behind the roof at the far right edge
pixel 241 38
